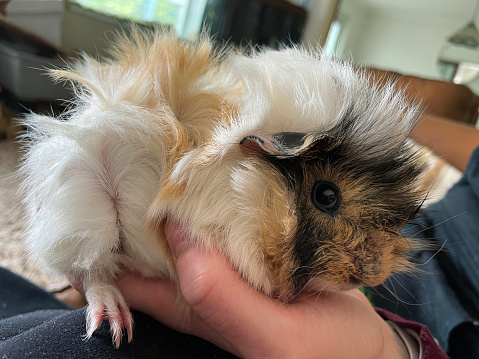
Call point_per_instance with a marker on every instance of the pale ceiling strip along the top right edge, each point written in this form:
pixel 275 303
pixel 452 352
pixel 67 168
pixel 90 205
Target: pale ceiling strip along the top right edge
pixel 461 9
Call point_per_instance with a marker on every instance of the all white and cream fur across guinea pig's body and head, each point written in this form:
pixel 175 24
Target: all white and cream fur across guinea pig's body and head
pixel 91 177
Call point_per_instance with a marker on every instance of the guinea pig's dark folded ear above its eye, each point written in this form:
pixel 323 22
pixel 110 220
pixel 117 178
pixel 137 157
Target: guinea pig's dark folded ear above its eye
pixel 281 144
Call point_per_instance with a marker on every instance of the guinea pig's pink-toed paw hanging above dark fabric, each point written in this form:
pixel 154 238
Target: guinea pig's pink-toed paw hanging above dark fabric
pixel 106 302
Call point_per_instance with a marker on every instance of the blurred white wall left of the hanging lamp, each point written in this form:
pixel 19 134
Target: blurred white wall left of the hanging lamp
pixel 401 41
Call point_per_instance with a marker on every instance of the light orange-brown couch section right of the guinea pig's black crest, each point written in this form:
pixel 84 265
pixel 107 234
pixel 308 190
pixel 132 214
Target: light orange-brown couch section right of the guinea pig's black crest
pixel 453 141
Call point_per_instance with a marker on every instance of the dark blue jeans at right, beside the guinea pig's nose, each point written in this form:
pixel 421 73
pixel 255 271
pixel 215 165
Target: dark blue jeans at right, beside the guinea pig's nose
pixel 444 295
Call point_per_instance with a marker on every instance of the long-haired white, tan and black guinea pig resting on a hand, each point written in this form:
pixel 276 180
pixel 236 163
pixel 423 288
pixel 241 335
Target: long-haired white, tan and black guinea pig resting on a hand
pixel 292 164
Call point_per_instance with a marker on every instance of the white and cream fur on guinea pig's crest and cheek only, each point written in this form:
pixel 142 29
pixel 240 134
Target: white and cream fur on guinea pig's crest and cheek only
pixel 292 90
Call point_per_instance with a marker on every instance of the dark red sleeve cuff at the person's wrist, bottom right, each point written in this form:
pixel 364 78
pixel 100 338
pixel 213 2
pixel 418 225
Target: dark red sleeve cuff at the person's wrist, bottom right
pixel 431 349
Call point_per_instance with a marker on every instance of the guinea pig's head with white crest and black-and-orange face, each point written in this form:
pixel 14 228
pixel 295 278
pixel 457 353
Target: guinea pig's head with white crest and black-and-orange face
pixel 303 119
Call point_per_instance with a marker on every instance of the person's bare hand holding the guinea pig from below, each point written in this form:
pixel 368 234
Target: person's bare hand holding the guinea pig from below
pixel 228 312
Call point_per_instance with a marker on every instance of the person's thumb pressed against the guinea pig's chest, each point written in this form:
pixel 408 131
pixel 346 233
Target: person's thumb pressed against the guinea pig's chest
pixel 219 296
